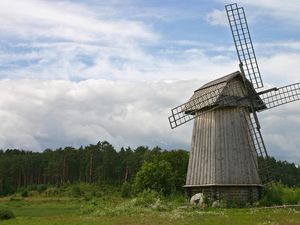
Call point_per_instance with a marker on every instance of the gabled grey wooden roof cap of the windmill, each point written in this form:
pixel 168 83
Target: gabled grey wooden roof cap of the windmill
pixel 228 90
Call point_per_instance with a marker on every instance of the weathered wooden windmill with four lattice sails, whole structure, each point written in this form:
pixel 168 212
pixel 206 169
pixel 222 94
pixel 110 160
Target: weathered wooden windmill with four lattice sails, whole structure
pixel 227 145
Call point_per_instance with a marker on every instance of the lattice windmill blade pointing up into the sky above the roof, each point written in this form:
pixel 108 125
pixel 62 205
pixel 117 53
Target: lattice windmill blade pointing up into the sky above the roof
pixel 243 44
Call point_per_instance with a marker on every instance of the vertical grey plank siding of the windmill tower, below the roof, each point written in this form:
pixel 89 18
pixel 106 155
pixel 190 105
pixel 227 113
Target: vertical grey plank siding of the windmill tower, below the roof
pixel 221 150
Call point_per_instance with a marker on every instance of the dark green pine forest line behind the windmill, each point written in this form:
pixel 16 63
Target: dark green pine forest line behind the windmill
pixel 102 164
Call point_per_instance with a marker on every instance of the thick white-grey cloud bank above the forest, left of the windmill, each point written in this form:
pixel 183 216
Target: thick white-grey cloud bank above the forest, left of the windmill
pixel 39 114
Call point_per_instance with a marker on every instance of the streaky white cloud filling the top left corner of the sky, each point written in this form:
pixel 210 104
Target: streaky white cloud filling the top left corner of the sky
pixel 32 19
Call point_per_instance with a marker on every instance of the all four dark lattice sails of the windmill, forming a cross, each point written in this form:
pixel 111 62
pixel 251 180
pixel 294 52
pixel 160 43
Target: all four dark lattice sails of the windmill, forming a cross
pixel 268 99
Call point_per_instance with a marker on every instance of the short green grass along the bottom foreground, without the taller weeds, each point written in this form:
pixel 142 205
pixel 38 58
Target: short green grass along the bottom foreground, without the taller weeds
pixel 67 211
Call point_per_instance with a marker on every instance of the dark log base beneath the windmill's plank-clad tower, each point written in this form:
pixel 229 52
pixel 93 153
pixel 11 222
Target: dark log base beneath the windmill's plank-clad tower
pixel 230 193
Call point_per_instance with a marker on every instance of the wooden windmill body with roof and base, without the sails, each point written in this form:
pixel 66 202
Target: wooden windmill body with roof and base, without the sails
pixel 222 157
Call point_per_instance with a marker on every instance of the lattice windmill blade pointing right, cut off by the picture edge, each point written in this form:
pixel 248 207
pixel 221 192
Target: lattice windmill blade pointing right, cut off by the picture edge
pixel 282 95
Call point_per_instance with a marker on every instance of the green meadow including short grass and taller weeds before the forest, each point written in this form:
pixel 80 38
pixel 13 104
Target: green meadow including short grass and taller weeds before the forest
pixel 108 207
